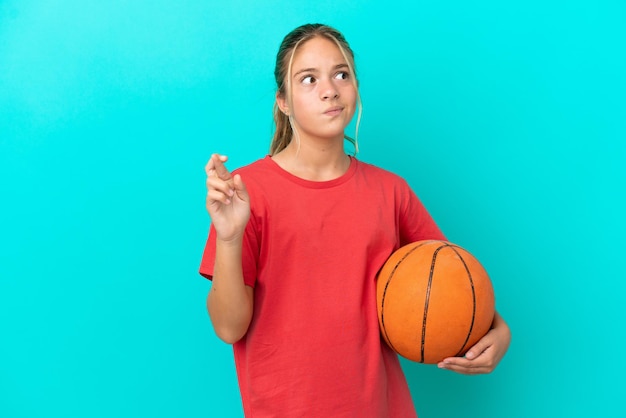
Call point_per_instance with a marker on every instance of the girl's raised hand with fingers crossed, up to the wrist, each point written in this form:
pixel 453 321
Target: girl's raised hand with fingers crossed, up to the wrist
pixel 227 200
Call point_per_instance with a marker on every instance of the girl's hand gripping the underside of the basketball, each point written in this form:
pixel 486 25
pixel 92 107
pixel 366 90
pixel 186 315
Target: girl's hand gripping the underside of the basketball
pixel 485 355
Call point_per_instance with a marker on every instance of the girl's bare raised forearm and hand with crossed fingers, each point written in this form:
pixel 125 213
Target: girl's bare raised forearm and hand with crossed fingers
pixel 229 301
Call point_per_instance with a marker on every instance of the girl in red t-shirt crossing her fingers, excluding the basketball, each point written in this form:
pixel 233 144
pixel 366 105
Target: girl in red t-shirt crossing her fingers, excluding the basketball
pixel 295 243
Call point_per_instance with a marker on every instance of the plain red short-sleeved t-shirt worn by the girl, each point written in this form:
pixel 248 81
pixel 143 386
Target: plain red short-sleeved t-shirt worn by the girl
pixel 312 251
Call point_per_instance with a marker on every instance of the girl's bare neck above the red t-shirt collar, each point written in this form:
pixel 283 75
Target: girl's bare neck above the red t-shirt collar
pixel 321 163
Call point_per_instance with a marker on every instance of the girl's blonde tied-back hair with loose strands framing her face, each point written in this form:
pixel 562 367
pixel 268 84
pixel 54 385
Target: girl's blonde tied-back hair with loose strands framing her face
pixel 285 132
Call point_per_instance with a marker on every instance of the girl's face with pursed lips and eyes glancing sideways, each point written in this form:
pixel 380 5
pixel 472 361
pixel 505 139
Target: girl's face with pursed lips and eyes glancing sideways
pixel 323 96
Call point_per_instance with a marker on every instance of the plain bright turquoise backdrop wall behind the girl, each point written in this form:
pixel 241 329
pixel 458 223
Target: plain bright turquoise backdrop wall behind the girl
pixel 507 118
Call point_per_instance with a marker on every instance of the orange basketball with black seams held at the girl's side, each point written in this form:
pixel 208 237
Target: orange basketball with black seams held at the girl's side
pixel 434 300
